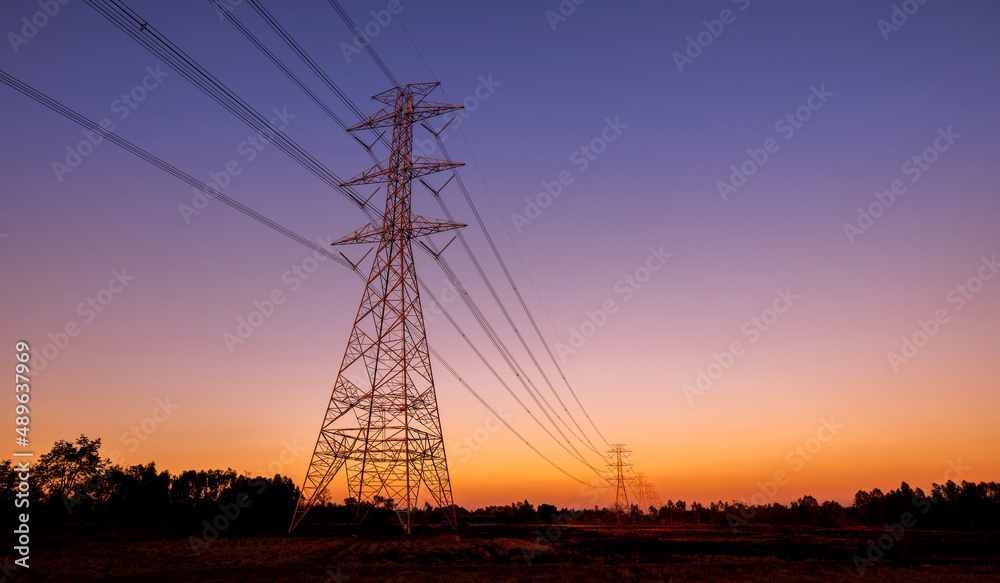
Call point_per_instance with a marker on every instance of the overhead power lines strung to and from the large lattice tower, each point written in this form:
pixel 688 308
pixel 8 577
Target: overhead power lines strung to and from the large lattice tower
pixel 137 28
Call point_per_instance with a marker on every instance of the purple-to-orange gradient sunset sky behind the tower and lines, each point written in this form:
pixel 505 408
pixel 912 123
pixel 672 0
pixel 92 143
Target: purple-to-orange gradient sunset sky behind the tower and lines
pixel 655 185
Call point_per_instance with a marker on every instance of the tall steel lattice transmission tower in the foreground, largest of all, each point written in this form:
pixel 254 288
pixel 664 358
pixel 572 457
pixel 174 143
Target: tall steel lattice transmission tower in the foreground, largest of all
pixel 387 432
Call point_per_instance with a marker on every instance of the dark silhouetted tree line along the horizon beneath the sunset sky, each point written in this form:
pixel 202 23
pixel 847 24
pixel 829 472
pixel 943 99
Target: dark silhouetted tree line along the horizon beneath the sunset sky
pixel 72 485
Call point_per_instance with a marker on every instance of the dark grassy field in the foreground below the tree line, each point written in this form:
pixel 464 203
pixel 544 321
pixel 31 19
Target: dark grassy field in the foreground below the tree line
pixel 498 553
